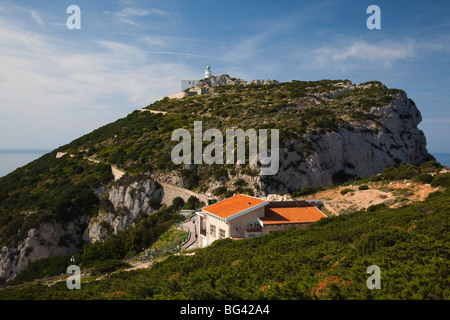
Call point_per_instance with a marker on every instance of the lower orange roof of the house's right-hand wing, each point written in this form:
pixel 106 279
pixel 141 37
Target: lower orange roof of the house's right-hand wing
pixel 291 215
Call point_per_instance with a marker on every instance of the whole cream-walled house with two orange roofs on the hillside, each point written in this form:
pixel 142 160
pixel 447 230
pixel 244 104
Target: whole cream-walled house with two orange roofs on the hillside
pixel 243 216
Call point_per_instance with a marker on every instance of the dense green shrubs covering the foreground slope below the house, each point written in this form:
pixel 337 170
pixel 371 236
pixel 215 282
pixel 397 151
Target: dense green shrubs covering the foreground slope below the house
pixel 326 261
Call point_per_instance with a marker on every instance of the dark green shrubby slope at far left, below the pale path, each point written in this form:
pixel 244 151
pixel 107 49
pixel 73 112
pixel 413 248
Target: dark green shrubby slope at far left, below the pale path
pixel 49 189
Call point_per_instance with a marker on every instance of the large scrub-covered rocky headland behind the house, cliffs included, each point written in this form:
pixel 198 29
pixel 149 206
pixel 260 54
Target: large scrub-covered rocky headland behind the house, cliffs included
pixel 331 131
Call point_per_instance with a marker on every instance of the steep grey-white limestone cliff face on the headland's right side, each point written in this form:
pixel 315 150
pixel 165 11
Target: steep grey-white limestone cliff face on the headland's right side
pixel 362 149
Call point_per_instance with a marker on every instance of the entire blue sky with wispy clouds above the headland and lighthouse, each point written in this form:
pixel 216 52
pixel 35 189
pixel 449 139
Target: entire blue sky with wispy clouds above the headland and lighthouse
pixel 57 84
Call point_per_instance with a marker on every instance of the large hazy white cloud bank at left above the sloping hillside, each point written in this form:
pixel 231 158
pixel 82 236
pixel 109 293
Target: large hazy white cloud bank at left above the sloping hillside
pixel 53 90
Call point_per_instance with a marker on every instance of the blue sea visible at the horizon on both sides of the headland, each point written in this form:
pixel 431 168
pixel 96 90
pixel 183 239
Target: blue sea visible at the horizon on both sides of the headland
pixel 10 160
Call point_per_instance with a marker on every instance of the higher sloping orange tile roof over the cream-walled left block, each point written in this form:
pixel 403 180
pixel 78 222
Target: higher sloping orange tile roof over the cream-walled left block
pixel 234 205
